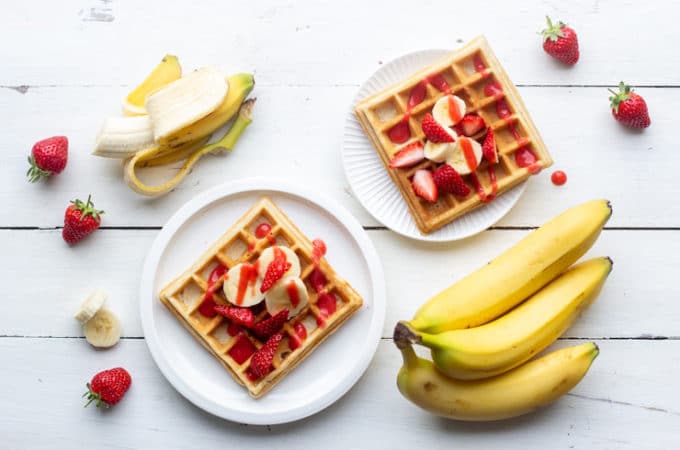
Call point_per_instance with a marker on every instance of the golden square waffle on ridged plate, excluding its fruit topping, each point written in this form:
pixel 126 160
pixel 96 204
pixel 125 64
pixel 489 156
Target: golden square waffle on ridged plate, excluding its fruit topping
pixel 466 71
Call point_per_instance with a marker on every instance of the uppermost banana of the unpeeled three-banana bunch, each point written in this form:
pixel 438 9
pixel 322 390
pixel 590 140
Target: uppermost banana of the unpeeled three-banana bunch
pixel 515 274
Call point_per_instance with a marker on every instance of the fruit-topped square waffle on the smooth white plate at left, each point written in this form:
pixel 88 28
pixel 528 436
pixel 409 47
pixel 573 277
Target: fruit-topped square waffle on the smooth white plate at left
pixel 330 299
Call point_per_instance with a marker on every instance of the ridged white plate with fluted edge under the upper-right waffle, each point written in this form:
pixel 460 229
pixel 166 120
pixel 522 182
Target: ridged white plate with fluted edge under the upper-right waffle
pixel 373 186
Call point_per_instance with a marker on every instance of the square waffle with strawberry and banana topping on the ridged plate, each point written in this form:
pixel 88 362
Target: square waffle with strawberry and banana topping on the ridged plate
pixel 392 120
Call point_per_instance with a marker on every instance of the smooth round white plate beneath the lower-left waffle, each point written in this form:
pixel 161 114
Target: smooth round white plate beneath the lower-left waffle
pixel 329 371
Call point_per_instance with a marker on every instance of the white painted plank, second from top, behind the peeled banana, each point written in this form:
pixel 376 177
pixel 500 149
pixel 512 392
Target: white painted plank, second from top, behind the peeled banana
pixel 297 135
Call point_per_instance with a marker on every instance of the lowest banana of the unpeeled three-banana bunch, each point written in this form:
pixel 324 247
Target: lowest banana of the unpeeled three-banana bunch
pixel 519 391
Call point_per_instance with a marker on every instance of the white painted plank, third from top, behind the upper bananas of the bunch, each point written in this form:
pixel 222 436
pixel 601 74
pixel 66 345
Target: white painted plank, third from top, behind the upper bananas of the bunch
pixel 639 299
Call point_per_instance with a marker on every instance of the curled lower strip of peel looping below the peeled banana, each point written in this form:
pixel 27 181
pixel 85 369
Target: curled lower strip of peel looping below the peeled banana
pixel 156 156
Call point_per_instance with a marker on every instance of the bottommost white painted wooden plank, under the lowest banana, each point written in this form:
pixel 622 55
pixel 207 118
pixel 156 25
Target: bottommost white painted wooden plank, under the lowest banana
pixel 621 403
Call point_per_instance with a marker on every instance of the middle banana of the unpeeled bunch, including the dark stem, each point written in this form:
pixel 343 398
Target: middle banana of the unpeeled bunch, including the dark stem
pixel 514 338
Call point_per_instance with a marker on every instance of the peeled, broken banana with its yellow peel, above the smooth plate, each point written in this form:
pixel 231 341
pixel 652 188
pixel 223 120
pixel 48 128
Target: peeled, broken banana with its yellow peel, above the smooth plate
pixel 170 118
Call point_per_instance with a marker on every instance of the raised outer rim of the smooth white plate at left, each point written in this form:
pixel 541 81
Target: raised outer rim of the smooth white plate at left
pixel 330 206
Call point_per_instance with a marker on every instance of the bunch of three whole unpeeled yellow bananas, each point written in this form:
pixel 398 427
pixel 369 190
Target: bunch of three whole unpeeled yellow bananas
pixel 479 369
